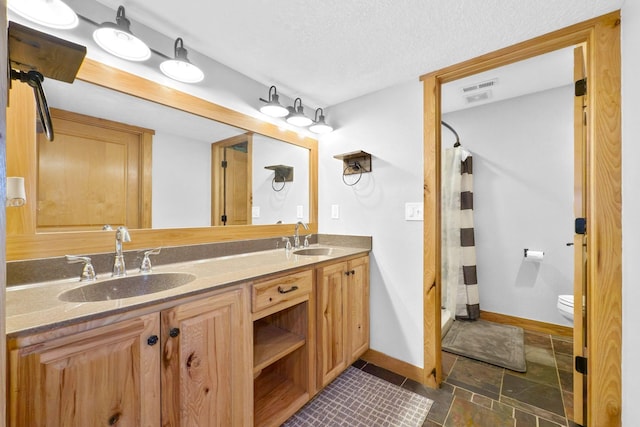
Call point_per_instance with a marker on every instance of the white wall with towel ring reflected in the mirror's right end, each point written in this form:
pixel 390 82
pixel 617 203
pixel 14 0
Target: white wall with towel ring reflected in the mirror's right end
pixel 279 205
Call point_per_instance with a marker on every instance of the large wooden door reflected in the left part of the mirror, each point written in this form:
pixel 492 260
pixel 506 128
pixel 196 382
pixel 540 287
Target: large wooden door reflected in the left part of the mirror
pixel 92 174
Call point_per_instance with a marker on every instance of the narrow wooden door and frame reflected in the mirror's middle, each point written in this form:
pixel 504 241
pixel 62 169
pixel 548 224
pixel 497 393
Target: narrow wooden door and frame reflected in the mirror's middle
pixel 231 181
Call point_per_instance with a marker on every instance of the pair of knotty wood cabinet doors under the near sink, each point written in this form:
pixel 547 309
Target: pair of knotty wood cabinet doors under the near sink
pixel 188 365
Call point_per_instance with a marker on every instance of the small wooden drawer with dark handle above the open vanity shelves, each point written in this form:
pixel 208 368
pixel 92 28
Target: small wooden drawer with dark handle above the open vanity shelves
pixel 271 292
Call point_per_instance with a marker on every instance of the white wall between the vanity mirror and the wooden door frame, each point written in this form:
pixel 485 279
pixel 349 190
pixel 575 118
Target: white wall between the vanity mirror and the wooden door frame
pixel 388 125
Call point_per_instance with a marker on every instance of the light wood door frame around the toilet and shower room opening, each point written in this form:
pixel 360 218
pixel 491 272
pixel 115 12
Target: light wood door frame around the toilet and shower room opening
pixel 604 323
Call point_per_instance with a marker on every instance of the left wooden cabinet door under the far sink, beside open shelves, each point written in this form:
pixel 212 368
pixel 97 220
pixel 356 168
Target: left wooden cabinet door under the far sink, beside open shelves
pixel 331 322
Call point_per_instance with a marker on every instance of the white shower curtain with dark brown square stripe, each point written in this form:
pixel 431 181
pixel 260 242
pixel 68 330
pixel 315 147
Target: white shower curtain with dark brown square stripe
pixel 459 279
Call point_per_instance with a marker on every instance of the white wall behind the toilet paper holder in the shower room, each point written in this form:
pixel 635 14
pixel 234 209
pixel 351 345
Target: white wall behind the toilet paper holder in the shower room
pixel 523 198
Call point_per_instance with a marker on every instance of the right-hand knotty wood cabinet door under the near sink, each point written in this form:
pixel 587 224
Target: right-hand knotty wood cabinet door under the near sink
pixel 206 372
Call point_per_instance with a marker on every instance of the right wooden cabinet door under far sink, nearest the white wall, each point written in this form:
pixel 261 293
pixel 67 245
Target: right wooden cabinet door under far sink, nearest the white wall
pixel 357 303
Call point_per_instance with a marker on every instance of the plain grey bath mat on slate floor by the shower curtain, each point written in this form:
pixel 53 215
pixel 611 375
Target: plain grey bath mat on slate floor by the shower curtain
pixel 500 345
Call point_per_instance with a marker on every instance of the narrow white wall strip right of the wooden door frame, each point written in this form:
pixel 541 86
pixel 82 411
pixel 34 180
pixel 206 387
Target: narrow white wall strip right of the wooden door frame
pixel 630 213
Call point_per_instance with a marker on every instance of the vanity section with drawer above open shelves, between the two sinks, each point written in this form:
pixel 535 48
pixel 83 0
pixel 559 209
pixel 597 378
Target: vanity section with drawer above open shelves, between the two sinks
pixel 283 346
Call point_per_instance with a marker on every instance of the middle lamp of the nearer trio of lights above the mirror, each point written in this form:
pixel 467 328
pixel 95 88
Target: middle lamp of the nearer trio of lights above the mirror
pixel 117 39
